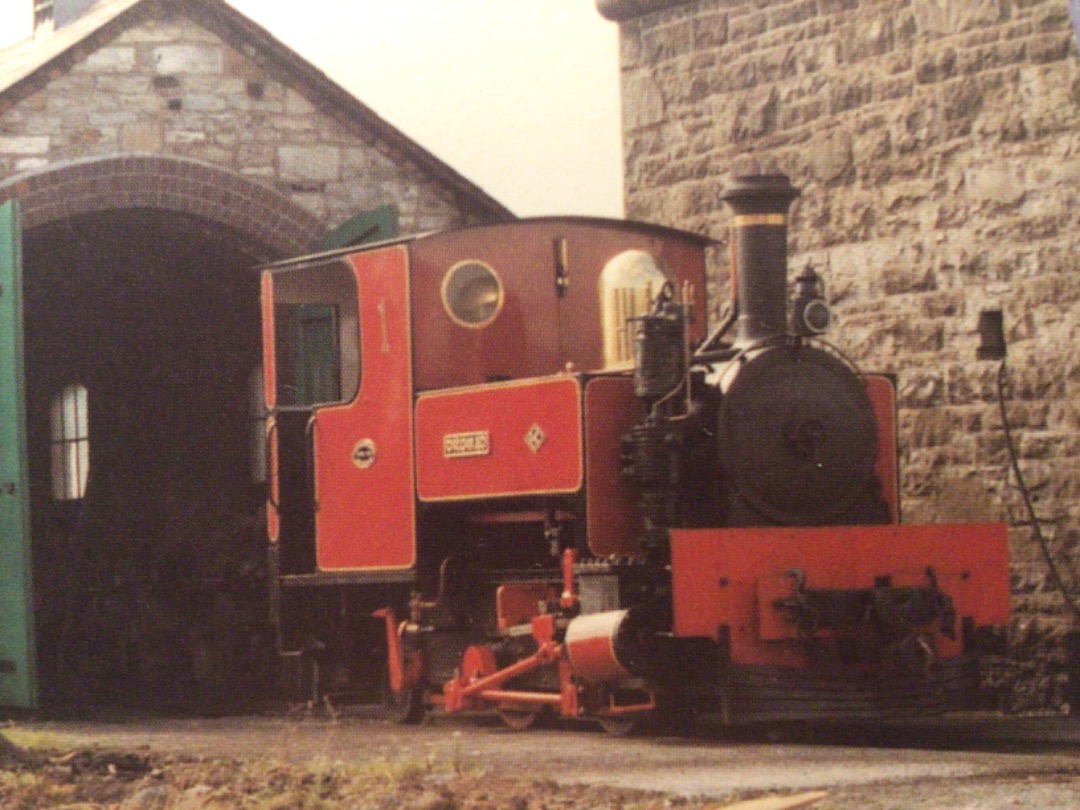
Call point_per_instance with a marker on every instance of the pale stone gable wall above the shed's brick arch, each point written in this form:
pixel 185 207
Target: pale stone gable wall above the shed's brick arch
pixel 170 87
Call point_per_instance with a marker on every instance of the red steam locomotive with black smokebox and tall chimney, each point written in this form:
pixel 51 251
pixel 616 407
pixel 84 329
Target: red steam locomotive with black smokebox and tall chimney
pixel 512 470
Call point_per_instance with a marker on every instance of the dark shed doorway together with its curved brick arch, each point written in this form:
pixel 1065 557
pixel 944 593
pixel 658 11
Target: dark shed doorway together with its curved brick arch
pixel 143 339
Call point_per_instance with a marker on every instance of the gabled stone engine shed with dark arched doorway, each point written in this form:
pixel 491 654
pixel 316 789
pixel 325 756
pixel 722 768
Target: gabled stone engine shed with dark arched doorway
pixel 158 151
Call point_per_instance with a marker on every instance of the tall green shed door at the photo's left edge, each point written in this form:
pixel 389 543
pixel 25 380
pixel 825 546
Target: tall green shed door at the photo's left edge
pixel 19 686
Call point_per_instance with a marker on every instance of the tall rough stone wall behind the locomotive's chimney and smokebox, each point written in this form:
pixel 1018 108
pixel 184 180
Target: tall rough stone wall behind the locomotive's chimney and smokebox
pixel 938 147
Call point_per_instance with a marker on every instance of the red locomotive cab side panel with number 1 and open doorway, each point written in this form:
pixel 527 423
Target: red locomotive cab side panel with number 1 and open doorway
pixel 340 389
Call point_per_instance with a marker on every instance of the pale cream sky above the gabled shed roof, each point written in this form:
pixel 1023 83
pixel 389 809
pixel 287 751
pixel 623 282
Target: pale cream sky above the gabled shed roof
pixel 521 97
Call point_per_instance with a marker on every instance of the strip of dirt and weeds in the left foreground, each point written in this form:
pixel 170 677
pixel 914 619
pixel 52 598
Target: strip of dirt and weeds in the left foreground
pixel 36 772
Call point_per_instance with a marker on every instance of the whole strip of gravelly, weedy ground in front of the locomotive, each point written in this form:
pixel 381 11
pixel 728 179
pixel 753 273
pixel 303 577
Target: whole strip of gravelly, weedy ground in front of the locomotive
pixel 989 764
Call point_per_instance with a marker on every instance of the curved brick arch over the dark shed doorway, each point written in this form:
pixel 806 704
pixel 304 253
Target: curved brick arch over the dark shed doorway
pixel 115 183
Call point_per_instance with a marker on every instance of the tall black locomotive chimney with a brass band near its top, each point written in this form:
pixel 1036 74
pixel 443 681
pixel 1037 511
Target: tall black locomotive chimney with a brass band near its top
pixel 760 246
